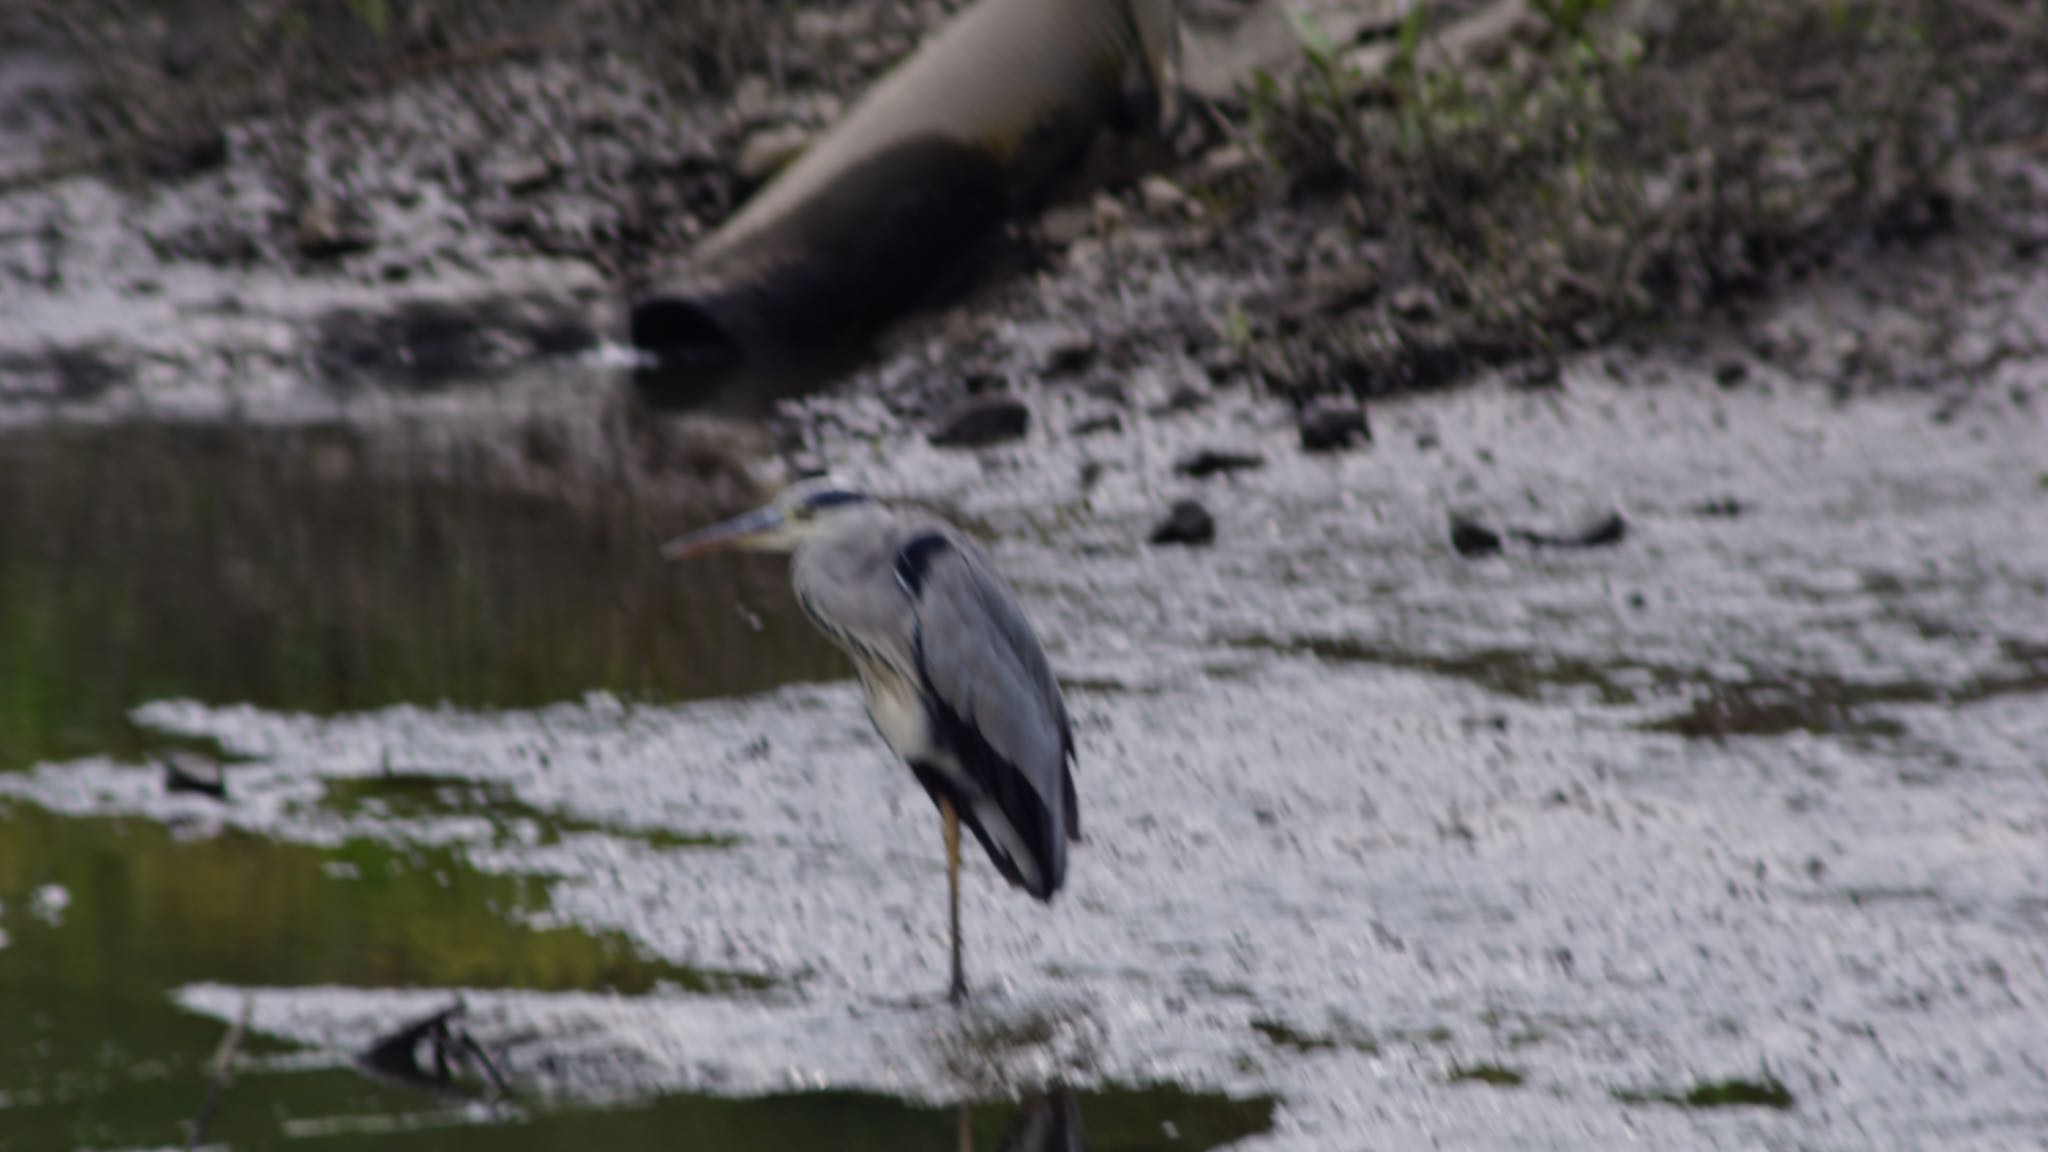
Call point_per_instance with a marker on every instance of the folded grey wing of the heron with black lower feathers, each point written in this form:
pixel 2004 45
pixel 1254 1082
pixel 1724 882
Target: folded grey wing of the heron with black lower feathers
pixel 994 698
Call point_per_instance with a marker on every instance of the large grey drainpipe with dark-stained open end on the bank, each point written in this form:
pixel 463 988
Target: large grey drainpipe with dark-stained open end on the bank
pixel 892 200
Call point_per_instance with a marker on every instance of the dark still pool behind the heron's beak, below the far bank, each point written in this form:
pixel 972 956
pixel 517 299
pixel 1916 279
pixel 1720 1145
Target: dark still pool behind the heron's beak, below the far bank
pixel 296 571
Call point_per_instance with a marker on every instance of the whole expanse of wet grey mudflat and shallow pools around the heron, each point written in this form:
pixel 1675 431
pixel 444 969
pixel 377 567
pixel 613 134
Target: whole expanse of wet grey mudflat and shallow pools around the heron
pixel 1725 835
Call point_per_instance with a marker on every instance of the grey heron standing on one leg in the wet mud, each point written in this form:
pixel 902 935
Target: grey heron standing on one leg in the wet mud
pixel 955 677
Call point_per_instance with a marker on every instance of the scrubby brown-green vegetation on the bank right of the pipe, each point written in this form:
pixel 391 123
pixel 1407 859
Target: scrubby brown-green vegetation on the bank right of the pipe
pixel 1596 171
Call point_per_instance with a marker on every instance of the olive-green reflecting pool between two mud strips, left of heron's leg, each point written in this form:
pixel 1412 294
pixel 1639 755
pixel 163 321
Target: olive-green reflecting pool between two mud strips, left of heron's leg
pixel 241 909
